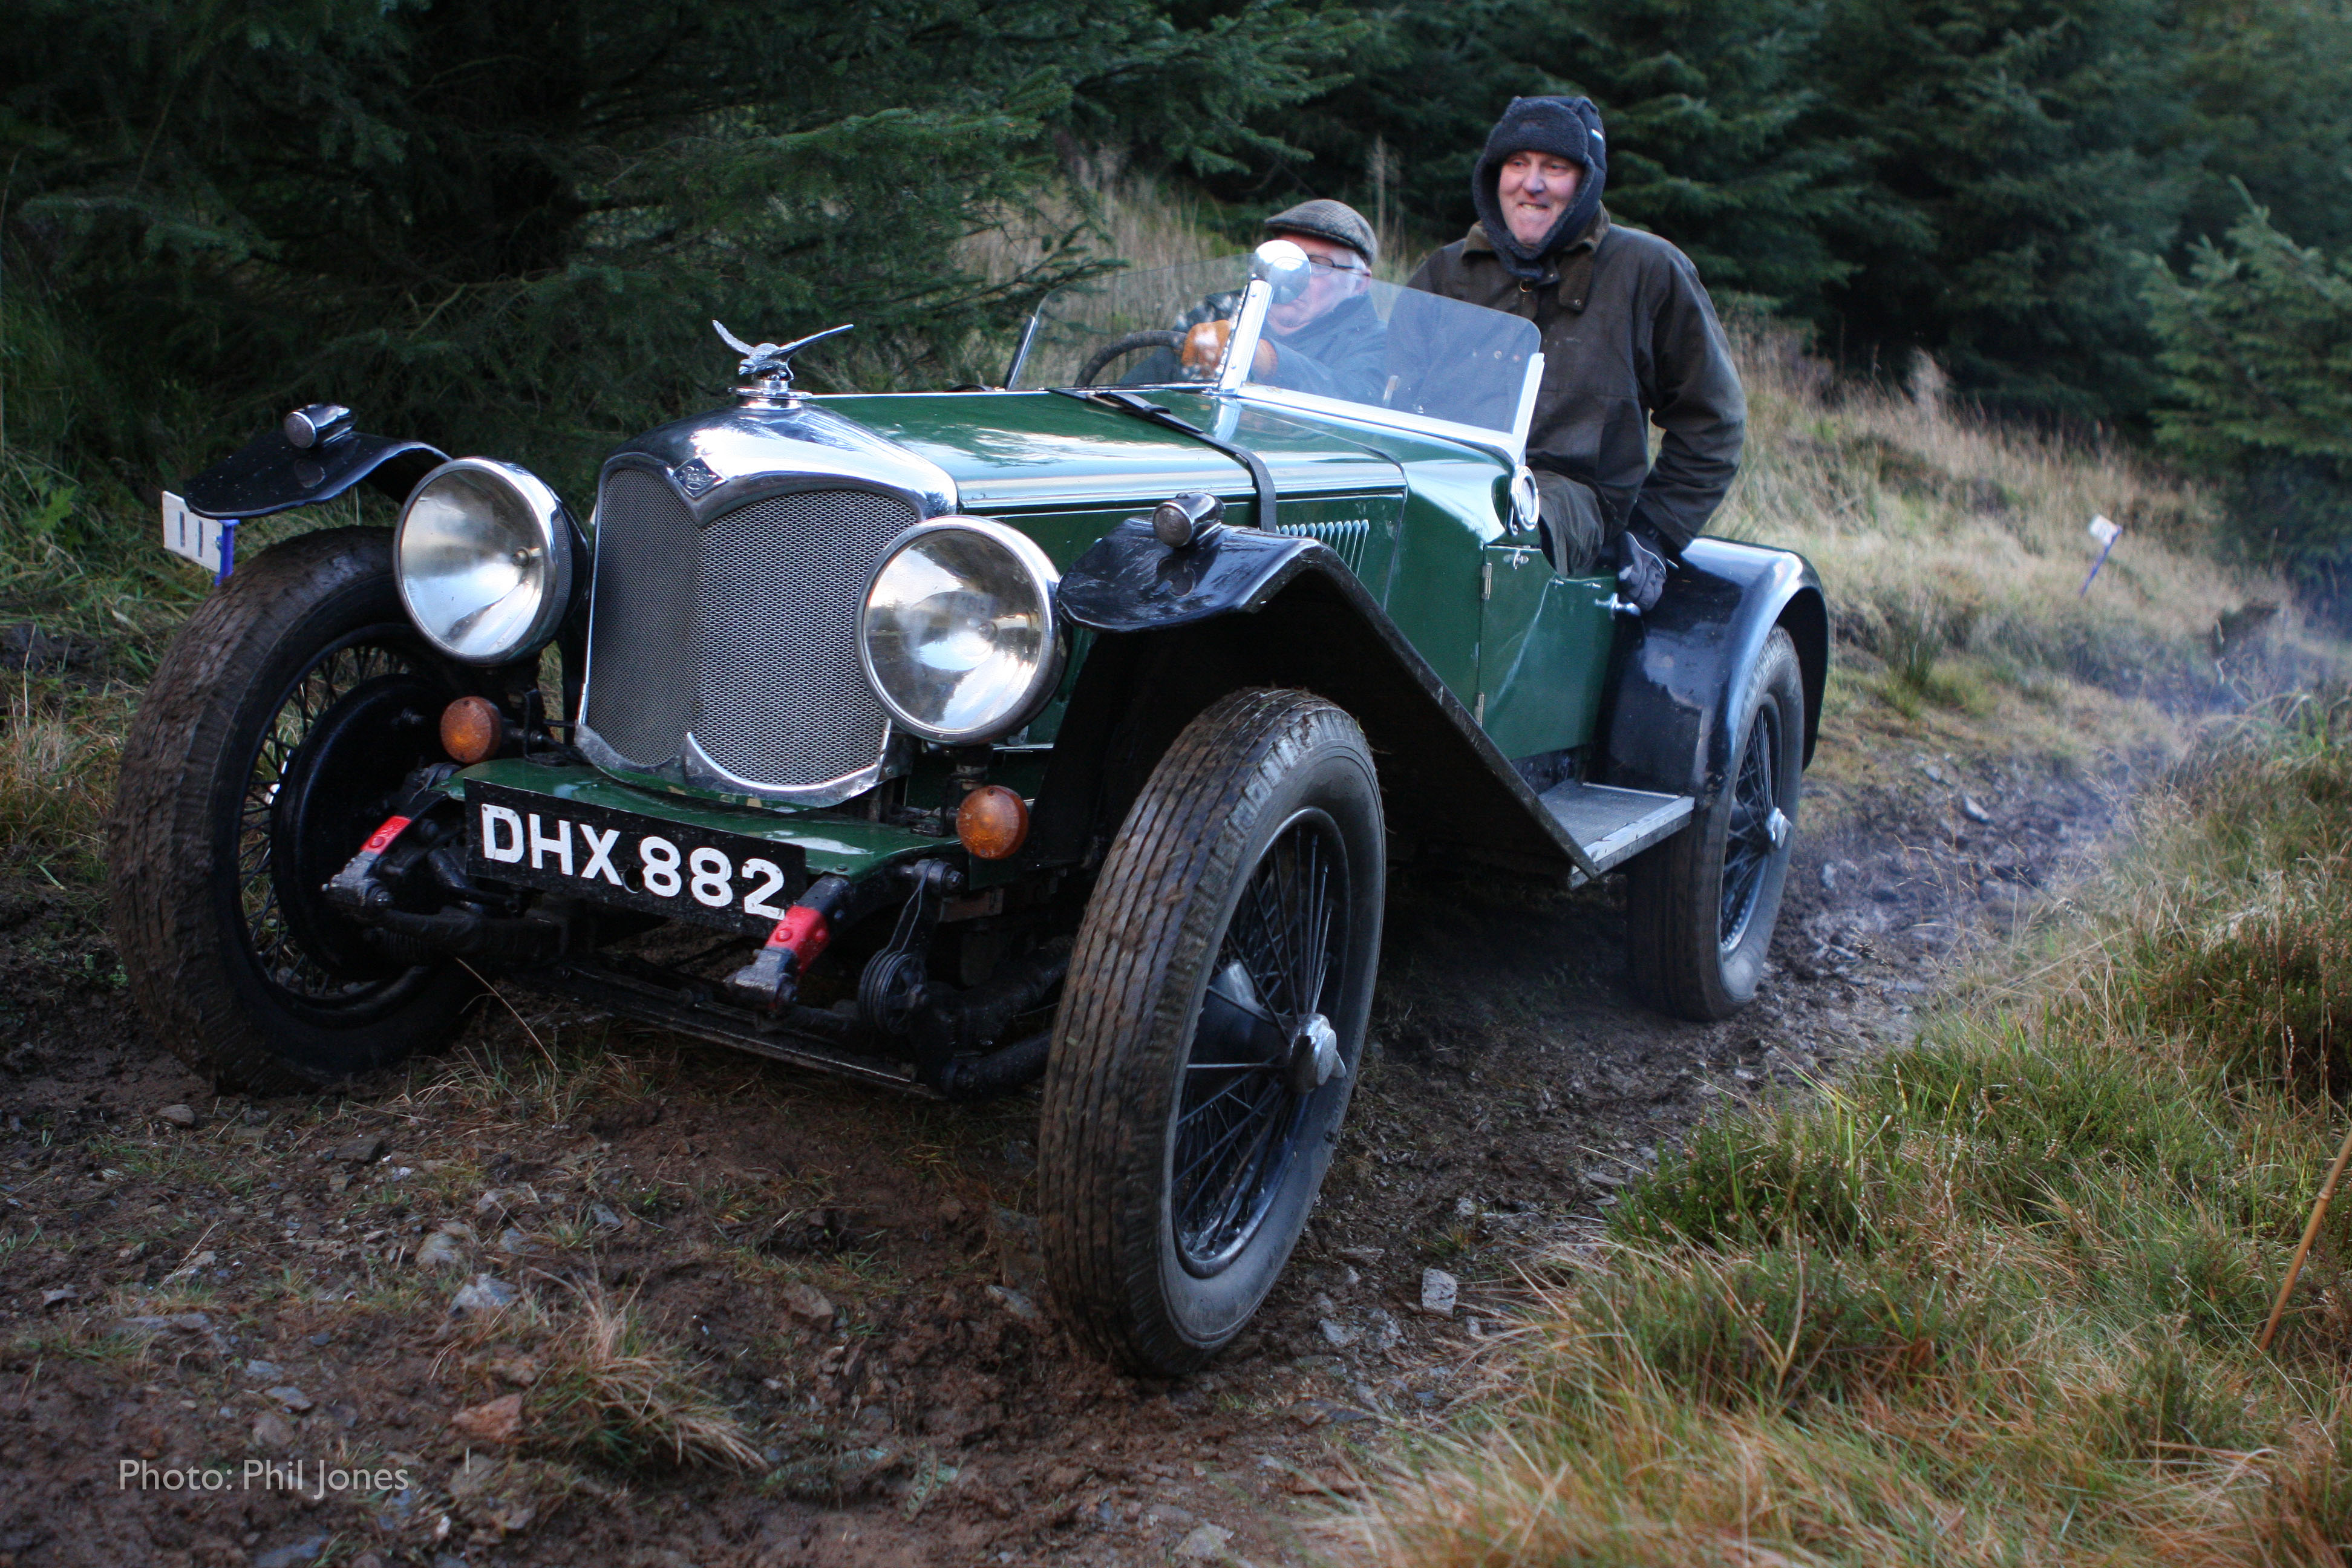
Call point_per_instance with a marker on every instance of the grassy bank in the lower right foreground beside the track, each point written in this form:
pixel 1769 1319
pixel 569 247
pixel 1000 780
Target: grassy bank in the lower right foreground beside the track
pixel 1993 1299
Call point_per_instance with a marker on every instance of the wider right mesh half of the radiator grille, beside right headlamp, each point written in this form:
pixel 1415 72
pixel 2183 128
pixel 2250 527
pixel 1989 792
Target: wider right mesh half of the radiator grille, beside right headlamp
pixel 780 692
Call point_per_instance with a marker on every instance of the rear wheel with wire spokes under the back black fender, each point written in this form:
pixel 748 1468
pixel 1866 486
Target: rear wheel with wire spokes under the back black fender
pixel 1702 909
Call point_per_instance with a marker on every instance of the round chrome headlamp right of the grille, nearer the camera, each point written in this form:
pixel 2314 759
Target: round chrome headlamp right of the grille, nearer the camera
pixel 958 634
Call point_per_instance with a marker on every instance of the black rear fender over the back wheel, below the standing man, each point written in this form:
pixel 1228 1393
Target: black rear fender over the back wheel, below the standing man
pixel 1685 664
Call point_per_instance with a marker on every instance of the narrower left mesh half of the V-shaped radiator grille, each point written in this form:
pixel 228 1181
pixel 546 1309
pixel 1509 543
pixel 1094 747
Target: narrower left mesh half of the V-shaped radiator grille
pixel 641 650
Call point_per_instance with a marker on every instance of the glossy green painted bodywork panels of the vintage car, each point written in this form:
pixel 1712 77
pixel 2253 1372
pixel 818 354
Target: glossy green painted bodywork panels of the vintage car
pixel 1419 521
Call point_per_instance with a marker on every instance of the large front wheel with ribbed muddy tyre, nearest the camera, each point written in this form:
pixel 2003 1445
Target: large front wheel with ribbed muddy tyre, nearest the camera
pixel 1210 1031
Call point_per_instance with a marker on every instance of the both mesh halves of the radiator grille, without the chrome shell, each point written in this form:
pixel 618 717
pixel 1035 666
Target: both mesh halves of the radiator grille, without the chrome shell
pixel 742 634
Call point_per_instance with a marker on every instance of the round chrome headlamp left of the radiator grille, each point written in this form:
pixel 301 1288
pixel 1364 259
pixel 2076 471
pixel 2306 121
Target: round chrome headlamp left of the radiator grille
pixel 483 558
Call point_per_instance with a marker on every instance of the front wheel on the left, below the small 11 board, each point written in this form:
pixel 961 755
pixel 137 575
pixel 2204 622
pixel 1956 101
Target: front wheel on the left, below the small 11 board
pixel 269 746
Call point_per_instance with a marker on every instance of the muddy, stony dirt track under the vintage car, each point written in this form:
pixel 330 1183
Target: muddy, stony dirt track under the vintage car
pixel 857 1273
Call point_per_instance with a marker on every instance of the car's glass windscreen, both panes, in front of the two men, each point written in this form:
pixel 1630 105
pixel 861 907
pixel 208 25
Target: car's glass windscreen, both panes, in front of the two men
pixel 1330 333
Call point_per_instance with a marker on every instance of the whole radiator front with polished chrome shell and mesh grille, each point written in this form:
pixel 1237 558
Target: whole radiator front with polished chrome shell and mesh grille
pixel 723 544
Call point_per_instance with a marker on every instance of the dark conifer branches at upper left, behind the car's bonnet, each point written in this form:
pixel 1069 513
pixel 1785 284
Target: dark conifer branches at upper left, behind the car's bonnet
pixel 507 225
